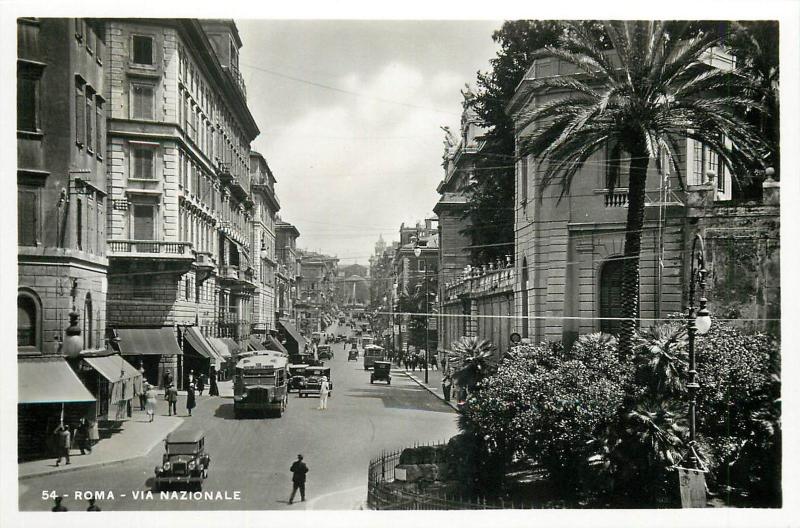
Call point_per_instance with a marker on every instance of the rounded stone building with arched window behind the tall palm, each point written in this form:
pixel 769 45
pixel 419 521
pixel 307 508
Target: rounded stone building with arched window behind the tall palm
pixel 568 249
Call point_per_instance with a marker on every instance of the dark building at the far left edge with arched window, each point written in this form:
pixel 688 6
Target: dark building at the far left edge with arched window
pixel 61 188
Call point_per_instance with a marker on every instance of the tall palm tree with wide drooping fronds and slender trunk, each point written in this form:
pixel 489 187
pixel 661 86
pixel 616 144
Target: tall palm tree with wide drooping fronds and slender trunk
pixel 642 95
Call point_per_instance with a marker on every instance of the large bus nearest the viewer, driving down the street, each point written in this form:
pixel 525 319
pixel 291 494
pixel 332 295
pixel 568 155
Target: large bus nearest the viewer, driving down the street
pixel 261 384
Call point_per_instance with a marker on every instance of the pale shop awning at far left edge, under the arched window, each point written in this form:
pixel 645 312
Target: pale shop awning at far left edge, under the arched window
pixel 50 380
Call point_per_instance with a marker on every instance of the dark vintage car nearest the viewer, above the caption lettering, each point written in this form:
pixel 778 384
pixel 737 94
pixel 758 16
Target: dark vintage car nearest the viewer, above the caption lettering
pixel 185 460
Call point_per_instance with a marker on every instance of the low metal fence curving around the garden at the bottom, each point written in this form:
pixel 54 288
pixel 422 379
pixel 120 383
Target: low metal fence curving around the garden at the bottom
pixel 384 494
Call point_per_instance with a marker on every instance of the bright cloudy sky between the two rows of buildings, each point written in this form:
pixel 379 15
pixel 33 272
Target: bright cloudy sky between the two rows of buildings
pixel 349 113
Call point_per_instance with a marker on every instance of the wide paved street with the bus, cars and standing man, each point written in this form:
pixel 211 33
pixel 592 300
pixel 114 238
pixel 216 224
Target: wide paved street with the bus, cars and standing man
pixel 253 455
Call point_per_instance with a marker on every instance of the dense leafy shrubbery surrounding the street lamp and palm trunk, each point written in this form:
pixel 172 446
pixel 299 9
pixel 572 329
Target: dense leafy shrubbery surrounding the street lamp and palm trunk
pixel 602 425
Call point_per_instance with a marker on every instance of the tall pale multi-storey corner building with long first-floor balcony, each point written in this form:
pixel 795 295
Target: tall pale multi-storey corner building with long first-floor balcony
pixel 180 205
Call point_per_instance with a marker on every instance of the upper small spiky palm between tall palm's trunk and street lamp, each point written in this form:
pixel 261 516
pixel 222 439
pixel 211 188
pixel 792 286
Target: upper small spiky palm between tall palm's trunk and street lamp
pixel 662 358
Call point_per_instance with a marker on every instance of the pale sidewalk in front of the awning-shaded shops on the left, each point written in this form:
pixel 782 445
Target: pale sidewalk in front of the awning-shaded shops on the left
pixel 137 438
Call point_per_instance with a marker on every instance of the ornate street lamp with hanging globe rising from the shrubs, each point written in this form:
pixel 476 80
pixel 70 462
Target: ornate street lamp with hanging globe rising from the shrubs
pixel 699 323
